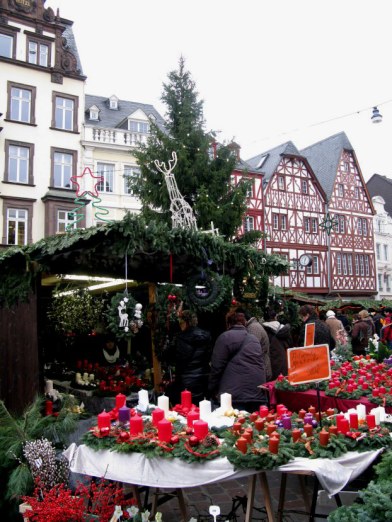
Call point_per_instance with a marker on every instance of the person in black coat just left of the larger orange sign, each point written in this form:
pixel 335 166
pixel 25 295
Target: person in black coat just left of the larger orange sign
pixel 280 339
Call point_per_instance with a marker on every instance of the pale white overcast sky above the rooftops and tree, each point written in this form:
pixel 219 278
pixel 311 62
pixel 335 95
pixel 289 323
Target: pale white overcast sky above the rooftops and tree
pixel 268 71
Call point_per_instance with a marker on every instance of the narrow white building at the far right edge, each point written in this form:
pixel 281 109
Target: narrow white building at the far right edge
pixel 383 247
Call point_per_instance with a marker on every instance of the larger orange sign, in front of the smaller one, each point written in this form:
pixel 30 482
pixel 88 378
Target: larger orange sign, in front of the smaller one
pixel 308 364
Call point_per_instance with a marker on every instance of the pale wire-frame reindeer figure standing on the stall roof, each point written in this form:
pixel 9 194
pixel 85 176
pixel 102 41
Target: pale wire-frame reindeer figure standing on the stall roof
pixel 182 213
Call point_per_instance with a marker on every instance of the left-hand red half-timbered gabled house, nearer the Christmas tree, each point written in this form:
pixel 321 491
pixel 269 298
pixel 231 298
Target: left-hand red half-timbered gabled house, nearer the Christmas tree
pixel 294 207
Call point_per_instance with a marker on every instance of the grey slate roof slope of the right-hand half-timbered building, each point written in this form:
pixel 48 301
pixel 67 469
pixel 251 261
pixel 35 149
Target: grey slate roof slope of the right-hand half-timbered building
pixel 324 157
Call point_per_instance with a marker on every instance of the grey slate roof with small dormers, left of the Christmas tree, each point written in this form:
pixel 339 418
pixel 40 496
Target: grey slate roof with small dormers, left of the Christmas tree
pixel 112 118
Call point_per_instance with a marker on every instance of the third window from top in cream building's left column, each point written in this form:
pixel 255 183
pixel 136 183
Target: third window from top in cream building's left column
pixel 19 160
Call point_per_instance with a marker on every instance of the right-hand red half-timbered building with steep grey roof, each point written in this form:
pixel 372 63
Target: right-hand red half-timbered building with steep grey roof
pixel 351 242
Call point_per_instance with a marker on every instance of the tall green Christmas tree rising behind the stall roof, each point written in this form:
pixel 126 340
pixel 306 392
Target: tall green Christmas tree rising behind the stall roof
pixel 204 167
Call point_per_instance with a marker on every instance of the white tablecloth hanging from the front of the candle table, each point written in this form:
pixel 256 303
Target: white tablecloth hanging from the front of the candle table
pixel 135 468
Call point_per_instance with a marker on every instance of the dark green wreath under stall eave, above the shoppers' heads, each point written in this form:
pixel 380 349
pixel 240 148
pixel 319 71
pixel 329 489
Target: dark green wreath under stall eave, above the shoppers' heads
pixel 206 291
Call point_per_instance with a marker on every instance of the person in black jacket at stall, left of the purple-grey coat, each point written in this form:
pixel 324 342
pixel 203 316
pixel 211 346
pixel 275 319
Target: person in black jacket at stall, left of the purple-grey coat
pixel 192 359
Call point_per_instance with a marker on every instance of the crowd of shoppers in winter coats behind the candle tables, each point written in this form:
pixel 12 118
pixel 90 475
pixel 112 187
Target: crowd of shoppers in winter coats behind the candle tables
pixel 251 352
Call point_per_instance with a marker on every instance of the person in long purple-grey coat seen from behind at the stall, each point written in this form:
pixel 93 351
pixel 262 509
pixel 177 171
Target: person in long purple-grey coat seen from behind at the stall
pixel 237 366
